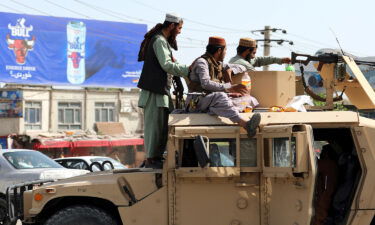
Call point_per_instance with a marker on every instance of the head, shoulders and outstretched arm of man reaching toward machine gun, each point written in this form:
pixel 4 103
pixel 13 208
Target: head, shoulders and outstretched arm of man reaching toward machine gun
pixel 246 52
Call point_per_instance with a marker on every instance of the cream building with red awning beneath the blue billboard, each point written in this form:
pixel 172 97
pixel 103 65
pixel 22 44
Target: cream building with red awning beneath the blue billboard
pixel 64 122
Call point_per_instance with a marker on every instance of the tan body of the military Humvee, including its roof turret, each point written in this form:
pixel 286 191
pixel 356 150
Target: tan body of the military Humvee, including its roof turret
pixel 255 189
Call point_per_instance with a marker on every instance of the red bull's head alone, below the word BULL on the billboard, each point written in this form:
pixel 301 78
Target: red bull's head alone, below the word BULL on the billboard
pixel 20 48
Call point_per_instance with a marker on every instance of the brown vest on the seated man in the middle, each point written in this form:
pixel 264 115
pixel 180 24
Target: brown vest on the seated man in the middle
pixel 215 70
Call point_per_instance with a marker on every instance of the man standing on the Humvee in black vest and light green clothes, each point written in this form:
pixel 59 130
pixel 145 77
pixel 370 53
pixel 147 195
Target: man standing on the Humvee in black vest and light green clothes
pixel 155 82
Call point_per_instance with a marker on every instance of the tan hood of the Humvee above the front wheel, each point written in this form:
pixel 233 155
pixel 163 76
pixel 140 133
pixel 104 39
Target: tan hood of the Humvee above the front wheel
pixel 109 185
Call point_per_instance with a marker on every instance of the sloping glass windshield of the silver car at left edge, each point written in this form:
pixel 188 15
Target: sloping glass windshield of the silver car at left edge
pixel 30 160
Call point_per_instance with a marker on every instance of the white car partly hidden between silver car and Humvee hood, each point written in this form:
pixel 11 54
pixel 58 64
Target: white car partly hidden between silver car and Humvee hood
pixel 91 163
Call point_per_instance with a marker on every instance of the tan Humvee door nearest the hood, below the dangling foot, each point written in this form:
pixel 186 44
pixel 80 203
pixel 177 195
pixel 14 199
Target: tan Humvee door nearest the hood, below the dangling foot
pixel 216 193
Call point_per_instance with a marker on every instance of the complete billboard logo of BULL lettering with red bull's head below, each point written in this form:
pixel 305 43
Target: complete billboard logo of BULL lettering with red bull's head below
pixel 20 46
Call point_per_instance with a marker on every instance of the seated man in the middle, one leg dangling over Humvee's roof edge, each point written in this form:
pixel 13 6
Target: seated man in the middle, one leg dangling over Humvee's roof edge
pixel 209 77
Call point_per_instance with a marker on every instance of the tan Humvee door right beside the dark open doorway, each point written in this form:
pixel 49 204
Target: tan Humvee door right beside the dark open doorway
pixel 288 174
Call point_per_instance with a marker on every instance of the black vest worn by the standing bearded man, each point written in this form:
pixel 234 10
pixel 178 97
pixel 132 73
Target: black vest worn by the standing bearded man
pixel 153 77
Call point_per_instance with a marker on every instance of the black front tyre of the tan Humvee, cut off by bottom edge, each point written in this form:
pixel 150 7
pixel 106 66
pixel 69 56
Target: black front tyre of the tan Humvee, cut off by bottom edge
pixel 80 214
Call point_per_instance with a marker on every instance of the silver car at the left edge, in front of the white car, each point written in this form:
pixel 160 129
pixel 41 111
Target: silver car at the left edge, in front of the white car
pixel 21 165
